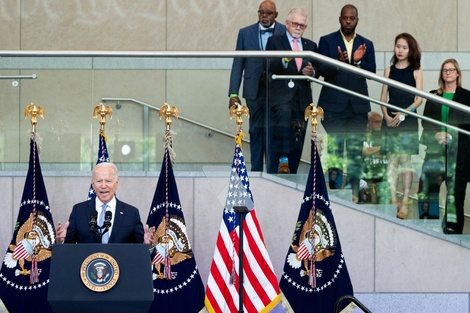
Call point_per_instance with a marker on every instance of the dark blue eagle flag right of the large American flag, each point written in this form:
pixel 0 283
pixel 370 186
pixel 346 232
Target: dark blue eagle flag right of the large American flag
pixel 315 273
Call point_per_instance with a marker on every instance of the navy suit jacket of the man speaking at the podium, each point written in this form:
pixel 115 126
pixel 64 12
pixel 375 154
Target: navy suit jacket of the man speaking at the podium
pixel 127 226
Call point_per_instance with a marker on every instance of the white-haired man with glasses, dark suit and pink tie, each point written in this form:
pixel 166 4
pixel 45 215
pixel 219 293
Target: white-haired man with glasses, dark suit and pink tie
pixel 288 99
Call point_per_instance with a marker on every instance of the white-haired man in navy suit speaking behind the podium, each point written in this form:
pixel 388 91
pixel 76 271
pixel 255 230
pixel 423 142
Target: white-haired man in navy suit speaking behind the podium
pixel 126 226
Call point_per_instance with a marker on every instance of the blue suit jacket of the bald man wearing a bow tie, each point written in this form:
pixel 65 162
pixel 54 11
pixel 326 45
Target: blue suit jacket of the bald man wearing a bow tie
pixel 249 39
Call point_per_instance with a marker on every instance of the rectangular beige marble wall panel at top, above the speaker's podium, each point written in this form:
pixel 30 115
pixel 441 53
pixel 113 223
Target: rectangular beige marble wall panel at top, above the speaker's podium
pixel 93 25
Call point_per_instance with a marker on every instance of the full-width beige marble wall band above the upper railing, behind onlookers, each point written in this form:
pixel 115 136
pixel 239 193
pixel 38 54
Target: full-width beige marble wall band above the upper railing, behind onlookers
pixel 170 25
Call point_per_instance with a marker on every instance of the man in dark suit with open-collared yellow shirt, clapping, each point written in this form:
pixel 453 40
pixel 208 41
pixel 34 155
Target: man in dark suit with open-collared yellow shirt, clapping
pixel 346 116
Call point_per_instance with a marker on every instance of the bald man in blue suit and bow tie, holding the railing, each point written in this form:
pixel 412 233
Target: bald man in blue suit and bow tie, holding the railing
pixel 254 37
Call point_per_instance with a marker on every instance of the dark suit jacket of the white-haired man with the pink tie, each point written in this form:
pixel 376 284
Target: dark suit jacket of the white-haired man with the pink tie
pixel 279 91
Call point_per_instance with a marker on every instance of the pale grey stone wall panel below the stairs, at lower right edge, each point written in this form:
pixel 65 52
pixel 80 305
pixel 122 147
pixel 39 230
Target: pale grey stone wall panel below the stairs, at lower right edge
pixel 405 260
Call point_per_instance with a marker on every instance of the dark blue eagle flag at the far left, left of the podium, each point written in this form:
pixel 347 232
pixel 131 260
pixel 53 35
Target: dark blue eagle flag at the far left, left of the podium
pixel 24 276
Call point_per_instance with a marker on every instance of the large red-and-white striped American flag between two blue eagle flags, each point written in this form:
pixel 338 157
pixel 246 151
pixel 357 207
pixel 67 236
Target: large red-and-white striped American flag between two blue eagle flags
pixel 260 288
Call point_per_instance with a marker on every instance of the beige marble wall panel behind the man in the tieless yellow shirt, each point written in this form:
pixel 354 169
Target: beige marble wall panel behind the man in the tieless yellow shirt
pixel 382 21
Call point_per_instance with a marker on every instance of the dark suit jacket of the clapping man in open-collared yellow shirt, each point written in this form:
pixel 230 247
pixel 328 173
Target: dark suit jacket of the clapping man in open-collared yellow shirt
pixel 331 99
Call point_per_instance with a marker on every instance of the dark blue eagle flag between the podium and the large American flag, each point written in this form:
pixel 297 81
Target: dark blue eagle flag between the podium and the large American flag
pixel 177 284
